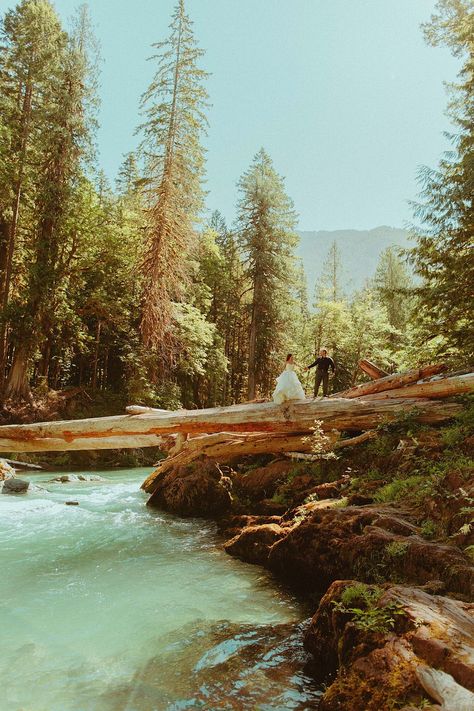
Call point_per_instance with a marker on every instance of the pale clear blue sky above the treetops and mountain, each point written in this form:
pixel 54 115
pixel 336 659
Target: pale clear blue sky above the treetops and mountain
pixel 344 95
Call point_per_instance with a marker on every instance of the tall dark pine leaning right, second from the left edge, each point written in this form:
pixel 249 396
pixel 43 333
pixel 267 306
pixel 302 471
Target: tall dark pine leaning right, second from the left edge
pixel 64 145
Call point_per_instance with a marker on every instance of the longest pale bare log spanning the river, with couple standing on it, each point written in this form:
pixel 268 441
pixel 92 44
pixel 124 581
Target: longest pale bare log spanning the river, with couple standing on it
pixel 293 417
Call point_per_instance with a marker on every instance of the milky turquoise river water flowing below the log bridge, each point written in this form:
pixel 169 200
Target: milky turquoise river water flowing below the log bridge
pixel 110 606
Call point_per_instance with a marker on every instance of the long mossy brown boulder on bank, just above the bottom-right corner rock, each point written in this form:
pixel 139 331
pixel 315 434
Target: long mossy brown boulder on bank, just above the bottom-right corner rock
pixel 367 543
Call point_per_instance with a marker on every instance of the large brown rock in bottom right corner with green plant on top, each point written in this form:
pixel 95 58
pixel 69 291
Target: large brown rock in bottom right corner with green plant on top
pixel 379 667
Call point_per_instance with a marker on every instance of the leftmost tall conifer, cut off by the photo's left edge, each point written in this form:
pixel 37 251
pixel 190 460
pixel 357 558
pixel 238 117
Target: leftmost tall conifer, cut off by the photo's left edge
pixel 32 42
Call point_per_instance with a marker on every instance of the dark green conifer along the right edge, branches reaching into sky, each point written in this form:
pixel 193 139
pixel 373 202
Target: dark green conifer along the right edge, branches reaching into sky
pixel 444 254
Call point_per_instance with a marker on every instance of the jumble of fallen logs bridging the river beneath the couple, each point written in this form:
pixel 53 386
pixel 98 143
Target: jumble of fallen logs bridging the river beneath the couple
pixel 223 433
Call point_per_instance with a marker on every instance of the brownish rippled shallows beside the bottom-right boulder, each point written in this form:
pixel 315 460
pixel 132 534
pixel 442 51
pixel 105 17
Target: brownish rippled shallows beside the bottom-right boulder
pixel 225 666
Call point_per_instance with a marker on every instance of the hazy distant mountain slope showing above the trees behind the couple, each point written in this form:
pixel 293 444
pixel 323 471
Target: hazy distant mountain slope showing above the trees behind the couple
pixel 360 251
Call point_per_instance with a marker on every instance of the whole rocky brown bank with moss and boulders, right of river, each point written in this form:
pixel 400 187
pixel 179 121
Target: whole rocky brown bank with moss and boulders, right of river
pixel 380 540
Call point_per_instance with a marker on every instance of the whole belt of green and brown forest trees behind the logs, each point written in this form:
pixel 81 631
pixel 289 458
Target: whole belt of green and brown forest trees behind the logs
pixel 136 291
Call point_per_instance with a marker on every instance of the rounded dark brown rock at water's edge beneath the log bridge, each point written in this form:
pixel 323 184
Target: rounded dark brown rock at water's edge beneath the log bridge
pixel 197 490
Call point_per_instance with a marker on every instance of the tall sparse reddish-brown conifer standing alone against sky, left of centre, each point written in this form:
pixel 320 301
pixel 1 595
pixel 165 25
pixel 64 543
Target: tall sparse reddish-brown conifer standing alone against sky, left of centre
pixel 174 106
